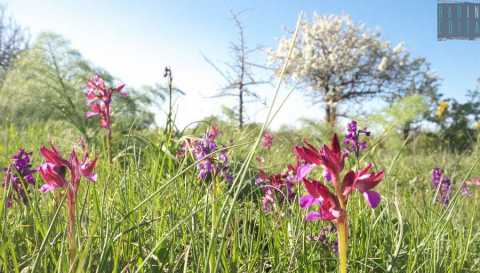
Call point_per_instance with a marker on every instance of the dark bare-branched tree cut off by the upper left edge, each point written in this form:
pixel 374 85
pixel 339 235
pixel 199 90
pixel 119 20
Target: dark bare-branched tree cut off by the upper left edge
pixel 13 40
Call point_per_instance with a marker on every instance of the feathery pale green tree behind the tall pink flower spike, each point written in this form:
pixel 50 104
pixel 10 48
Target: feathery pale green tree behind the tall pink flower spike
pixel 46 82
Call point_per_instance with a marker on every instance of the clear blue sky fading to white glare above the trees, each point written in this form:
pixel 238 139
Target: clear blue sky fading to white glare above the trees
pixel 135 40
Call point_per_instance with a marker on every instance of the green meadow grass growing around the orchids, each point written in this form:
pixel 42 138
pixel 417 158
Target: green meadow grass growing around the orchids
pixel 148 212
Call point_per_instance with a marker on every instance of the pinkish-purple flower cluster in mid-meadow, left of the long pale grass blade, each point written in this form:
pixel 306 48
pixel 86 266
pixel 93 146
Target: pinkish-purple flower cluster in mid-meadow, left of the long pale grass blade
pixel 212 160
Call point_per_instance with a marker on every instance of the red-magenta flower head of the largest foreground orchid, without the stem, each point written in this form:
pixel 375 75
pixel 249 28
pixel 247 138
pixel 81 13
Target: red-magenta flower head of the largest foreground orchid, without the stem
pixel 332 205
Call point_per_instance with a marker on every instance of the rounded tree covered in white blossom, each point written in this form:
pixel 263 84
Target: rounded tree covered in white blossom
pixel 338 61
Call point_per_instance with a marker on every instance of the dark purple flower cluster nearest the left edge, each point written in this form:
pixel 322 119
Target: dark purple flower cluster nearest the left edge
pixel 17 176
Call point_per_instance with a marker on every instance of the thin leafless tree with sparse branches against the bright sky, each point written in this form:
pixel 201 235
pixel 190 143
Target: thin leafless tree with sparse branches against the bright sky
pixel 239 74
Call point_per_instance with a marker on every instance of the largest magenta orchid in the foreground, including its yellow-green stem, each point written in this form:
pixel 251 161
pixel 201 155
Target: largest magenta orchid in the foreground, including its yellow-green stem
pixel 332 204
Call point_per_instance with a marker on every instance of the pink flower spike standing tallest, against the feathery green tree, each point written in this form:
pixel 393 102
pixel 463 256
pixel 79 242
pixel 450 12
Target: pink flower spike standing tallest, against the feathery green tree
pixel 99 98
